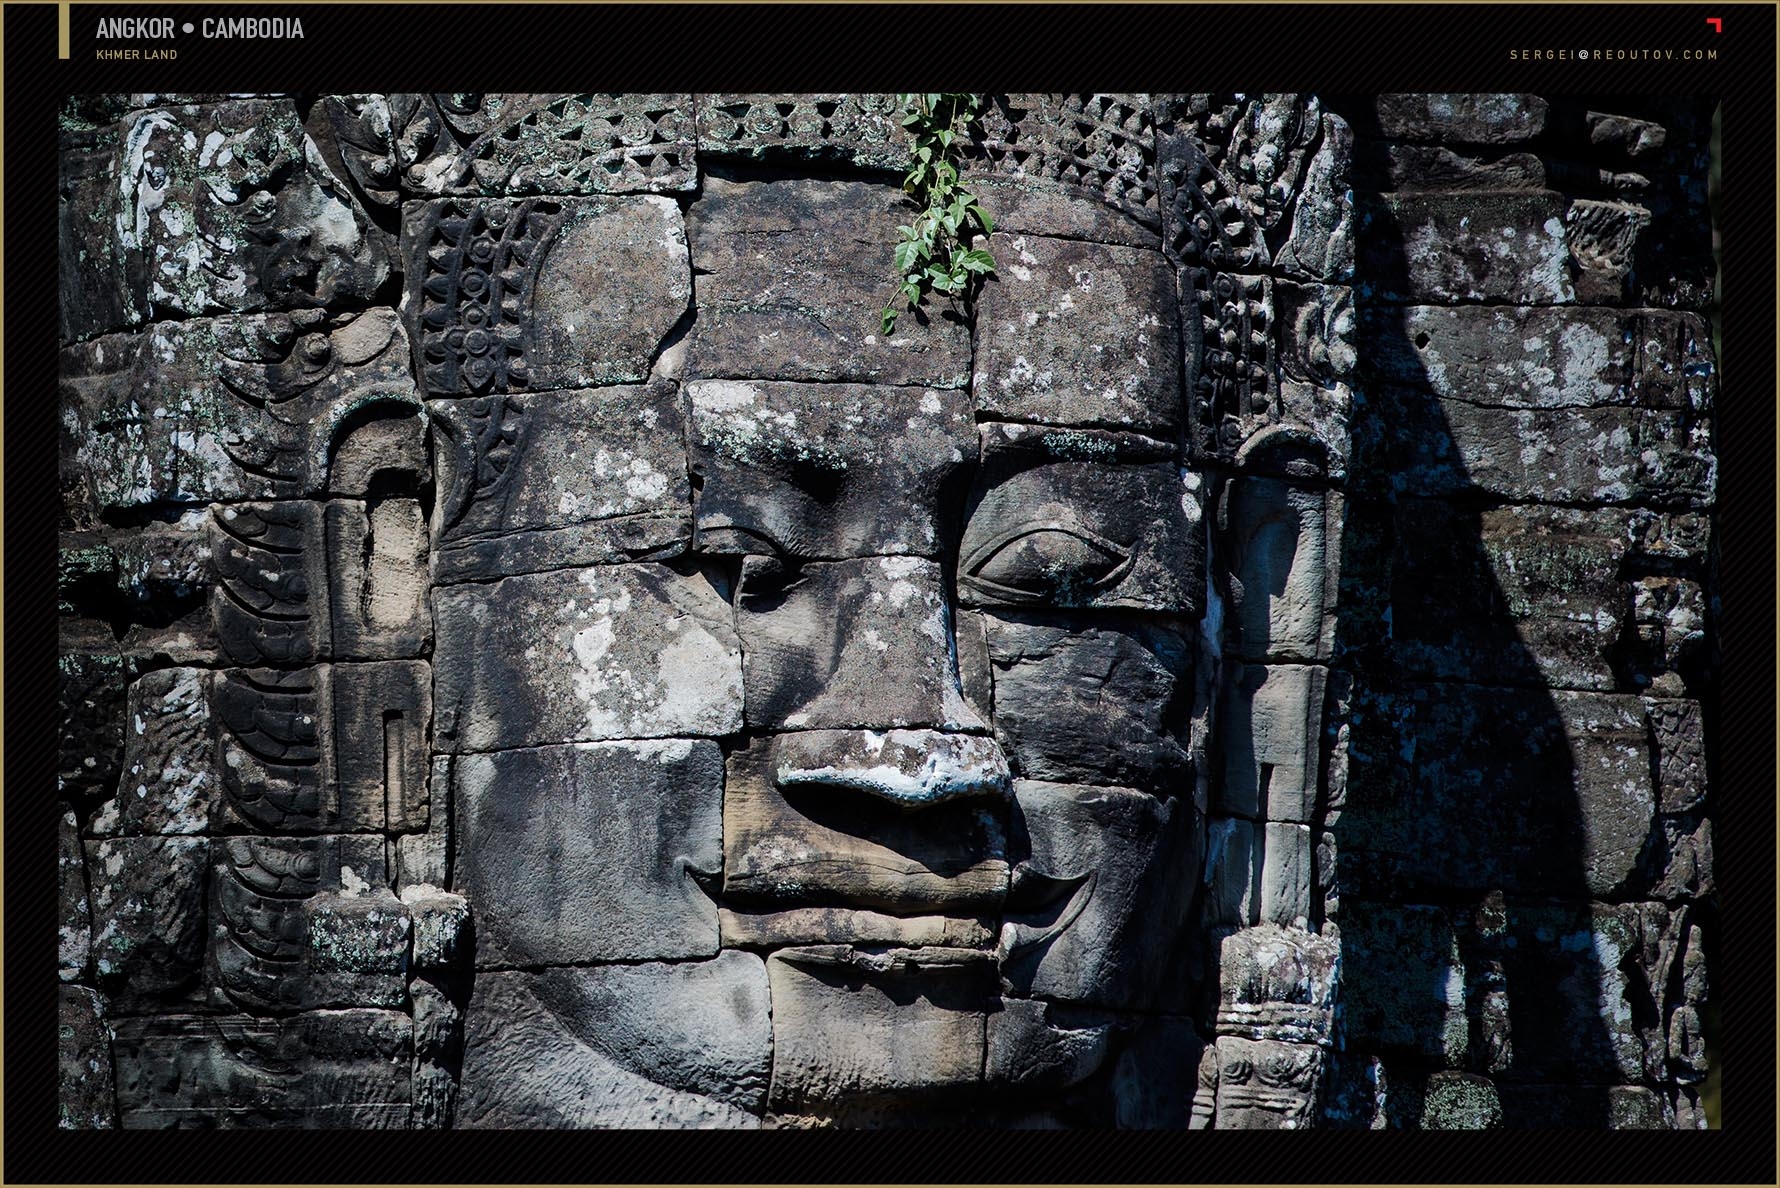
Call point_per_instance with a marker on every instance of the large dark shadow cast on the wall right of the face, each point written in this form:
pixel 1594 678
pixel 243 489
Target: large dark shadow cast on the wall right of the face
pixel 1475 966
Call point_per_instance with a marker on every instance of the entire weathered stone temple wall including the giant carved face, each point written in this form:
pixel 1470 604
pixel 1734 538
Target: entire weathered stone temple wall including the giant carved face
pixel 535 655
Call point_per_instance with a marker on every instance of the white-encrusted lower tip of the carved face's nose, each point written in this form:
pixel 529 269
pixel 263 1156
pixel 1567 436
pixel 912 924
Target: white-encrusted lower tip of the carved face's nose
pixel 907 769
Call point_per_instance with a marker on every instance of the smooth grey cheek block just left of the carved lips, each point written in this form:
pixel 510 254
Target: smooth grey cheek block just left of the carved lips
pixel 592 852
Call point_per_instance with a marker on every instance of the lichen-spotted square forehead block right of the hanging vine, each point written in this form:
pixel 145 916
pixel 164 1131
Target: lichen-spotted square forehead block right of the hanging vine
pixel 1076 334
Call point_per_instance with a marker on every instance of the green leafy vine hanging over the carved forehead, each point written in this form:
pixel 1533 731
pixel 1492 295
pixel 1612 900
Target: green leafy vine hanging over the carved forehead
pixel 935 252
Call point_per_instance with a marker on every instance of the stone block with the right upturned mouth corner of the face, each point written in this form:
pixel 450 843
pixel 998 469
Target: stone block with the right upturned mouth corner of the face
pixel 1099 897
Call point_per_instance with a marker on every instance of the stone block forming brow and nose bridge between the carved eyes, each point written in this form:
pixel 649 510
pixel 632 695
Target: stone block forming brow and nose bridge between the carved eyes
pixel 829 471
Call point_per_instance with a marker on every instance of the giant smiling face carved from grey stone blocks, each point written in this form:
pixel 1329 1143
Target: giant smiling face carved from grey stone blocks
pixel 832 676
